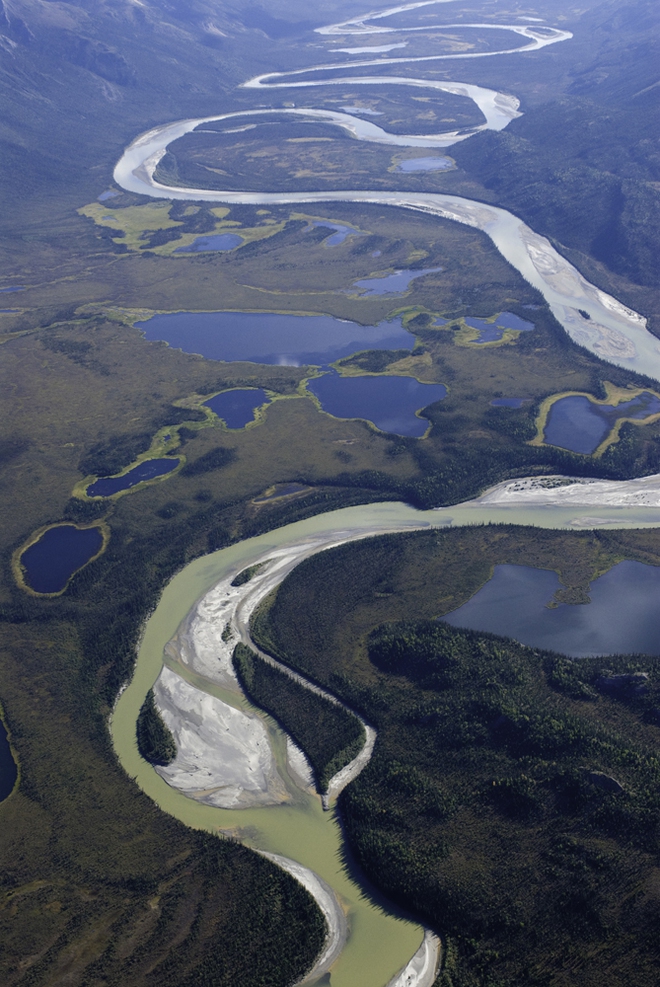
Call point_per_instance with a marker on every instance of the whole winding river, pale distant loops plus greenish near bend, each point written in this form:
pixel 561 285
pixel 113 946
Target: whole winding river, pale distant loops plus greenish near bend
pixel 379 946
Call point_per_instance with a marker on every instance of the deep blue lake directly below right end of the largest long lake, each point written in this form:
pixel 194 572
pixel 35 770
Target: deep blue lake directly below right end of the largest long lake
pixel 387 401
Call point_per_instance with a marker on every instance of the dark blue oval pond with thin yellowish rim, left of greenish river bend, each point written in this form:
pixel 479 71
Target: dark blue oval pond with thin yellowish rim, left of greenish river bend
pixel 60 552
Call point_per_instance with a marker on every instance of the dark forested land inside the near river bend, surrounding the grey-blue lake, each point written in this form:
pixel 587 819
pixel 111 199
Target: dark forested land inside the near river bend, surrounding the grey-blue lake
pixel 512 800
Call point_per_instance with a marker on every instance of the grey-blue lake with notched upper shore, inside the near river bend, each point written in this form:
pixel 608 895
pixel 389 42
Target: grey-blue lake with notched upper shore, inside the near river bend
pixel 621 618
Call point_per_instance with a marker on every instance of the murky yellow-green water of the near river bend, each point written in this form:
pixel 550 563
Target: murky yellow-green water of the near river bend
pixel 379 944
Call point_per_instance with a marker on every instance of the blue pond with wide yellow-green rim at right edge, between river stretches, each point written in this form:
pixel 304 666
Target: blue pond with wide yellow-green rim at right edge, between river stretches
pixel 577 424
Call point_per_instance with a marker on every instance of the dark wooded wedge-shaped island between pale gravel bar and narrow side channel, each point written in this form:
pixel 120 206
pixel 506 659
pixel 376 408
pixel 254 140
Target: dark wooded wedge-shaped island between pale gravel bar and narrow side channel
pixel 330 736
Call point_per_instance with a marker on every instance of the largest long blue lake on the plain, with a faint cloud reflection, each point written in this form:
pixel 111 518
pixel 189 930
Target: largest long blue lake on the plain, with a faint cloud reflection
pixel 264 337
